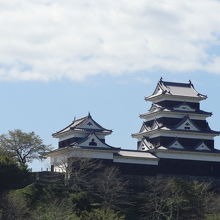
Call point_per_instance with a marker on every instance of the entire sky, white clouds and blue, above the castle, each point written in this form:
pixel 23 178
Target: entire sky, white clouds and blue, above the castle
pixel 60 59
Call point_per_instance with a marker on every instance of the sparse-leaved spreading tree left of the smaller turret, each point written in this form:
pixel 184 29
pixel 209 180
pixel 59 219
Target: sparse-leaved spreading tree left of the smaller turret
pixel 24 146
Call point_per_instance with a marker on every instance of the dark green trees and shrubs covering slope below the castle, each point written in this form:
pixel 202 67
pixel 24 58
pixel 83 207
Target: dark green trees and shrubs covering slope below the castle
pixel 102 193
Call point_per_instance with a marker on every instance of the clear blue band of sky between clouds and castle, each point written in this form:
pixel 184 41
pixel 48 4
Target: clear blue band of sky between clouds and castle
pixel 114 102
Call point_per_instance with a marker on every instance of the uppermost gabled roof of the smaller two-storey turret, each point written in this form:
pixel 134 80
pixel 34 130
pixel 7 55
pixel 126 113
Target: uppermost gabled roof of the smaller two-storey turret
pixel 83 124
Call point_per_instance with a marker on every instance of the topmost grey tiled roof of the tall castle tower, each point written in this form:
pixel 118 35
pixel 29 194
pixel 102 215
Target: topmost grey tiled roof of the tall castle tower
pixel 176 89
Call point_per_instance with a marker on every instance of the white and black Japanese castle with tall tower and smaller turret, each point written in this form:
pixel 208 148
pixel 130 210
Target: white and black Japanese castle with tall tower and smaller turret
pixel 174 139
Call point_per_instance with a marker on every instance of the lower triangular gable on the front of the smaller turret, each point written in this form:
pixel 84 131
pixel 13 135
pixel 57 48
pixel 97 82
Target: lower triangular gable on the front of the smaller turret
pixel 92 141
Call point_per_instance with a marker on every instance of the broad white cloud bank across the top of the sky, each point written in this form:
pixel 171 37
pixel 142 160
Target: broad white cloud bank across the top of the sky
pixel 53 39
